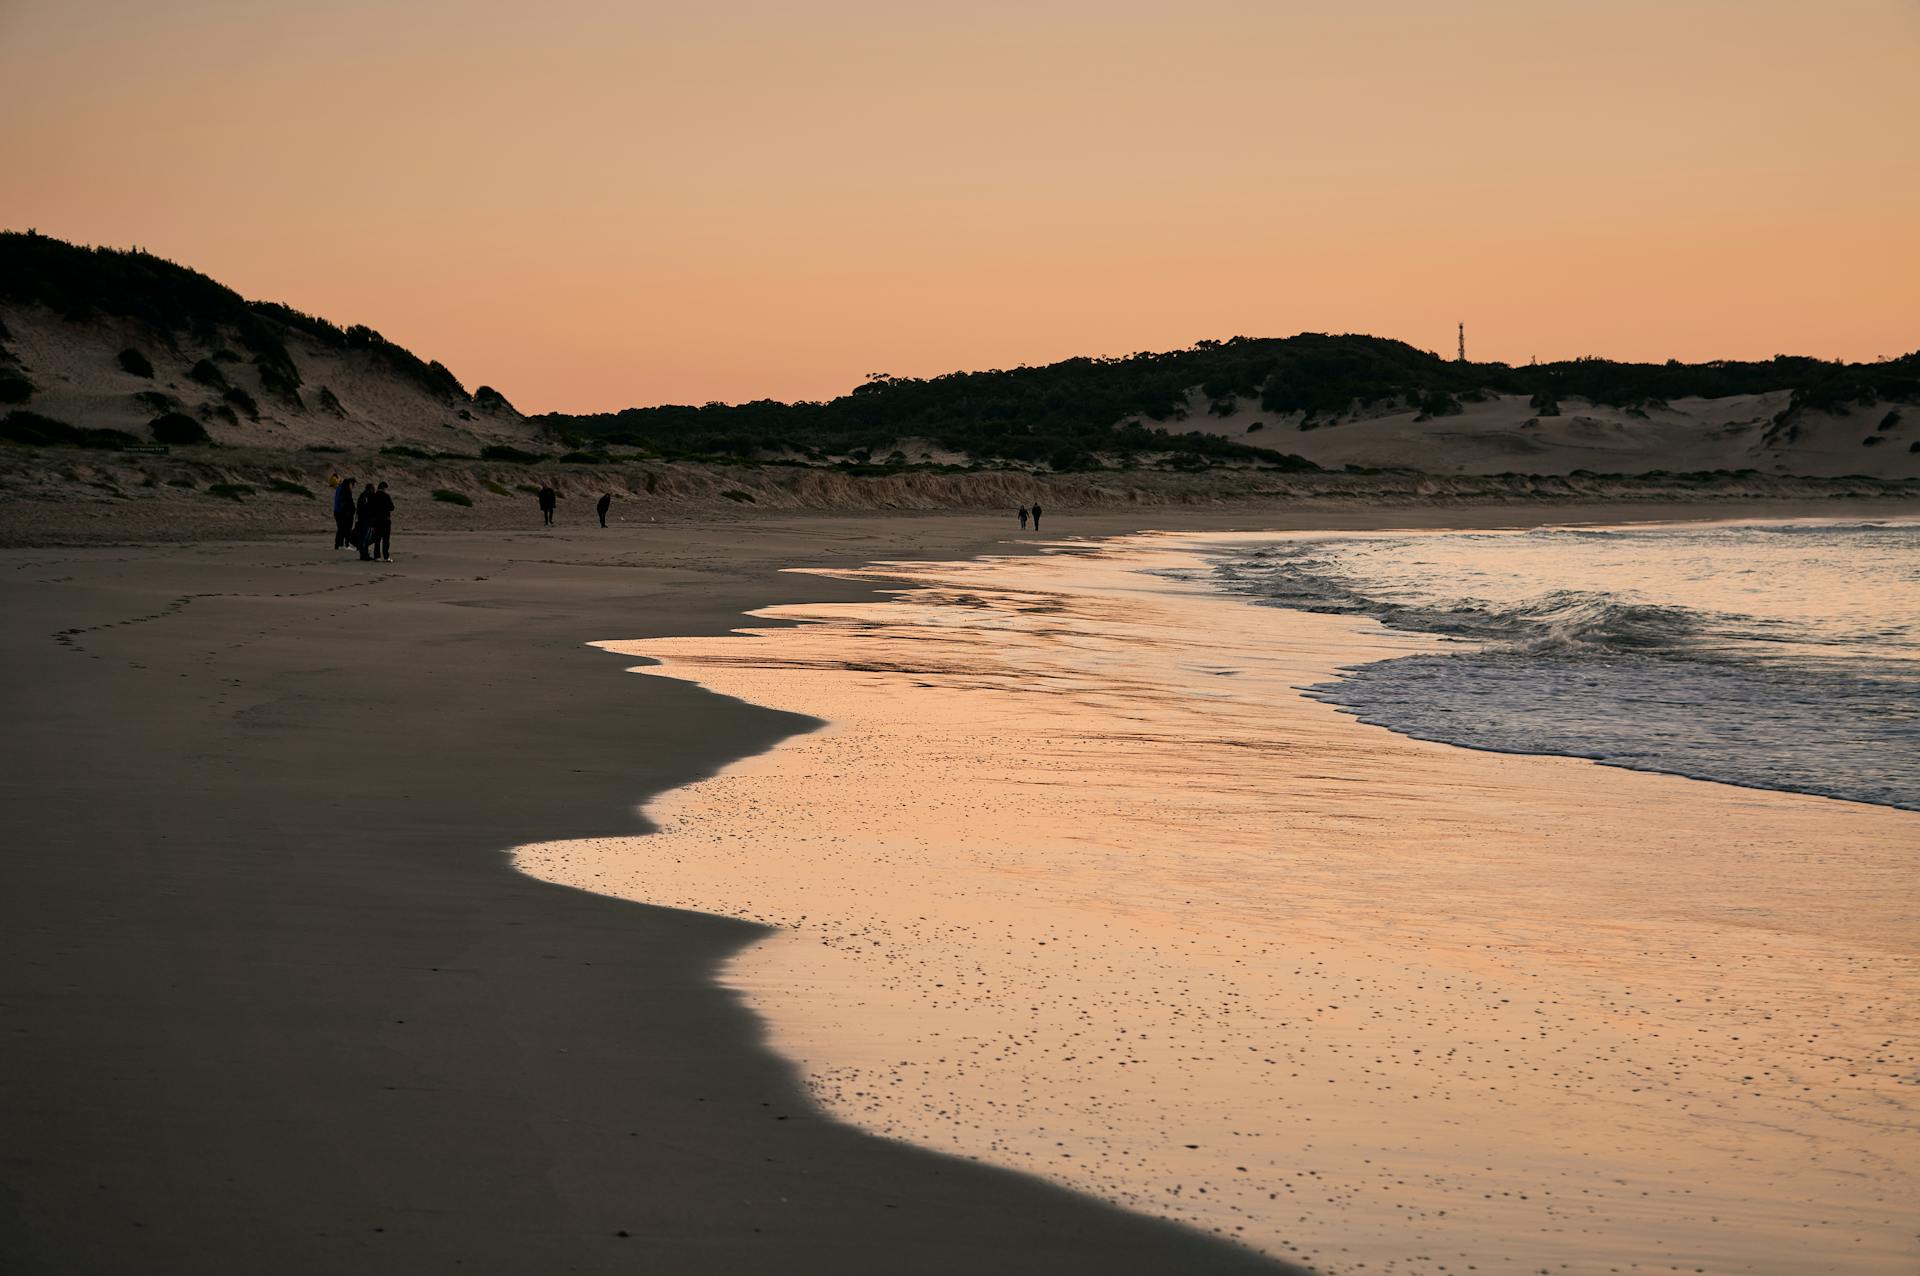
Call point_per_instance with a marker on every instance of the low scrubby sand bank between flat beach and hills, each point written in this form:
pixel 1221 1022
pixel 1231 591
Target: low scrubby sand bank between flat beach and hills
pixel 95 504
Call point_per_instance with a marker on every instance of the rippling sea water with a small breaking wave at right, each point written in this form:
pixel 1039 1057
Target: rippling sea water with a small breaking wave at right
pixel 1762 655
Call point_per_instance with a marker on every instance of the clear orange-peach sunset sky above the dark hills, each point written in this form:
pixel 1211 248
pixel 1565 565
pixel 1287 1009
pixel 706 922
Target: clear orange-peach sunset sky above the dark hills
pixel 594 204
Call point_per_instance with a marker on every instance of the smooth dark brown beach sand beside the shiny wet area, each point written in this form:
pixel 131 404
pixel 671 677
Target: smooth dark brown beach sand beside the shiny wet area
pixel 276 997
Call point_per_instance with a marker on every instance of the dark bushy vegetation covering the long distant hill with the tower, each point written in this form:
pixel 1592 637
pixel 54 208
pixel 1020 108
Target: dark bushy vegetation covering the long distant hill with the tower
pixel 1084 414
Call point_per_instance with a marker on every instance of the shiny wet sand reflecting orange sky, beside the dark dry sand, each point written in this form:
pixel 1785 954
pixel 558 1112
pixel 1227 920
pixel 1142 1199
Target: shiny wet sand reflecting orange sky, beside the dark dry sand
pixel 1078 884
